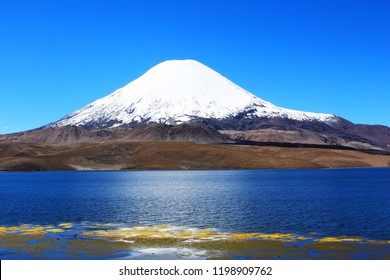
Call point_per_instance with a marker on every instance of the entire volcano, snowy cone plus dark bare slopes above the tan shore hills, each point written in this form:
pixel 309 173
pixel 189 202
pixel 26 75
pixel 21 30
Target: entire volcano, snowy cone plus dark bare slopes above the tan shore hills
pixel 187 92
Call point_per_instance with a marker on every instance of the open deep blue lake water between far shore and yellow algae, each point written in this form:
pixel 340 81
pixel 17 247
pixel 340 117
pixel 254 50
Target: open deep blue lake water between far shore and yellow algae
pixel 335 202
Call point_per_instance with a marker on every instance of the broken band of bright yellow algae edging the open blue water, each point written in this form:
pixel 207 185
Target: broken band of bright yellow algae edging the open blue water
pixel 174 232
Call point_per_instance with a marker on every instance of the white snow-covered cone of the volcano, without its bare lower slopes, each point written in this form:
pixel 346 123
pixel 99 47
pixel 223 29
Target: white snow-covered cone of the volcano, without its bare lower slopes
pixel 178 91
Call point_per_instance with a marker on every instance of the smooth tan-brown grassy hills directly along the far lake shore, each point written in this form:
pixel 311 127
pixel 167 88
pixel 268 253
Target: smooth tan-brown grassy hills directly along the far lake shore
pixel 171 155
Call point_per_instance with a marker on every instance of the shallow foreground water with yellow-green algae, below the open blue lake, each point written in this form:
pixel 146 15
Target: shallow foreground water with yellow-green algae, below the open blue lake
pixel 111 241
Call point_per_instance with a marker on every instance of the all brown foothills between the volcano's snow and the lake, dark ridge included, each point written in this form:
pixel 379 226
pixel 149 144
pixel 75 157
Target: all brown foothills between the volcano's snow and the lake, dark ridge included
pixel 185 146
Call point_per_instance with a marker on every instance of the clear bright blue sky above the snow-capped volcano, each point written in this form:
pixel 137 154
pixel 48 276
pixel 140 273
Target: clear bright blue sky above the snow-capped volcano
pixel 322 56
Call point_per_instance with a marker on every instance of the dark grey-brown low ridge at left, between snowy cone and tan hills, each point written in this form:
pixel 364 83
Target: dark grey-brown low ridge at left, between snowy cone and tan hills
pixel 71 134
